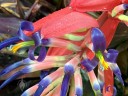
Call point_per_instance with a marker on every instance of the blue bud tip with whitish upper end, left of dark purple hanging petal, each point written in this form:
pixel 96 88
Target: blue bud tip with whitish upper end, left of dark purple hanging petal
pixel 42 85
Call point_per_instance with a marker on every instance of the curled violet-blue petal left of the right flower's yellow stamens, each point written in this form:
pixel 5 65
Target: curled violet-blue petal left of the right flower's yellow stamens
pixel 90 64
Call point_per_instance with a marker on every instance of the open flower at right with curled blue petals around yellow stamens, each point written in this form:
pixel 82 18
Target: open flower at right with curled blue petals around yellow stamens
pixel 105 59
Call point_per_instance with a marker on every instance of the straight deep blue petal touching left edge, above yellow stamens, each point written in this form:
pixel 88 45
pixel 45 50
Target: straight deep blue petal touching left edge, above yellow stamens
pixel 8 42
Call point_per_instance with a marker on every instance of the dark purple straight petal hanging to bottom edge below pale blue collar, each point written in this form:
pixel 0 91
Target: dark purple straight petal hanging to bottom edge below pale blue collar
pixel 65 84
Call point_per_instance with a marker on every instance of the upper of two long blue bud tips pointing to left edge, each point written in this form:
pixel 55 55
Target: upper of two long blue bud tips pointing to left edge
pixel 26 61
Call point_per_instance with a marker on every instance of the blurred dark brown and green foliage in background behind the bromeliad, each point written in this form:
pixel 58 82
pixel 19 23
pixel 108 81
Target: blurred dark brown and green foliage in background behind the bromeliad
pixel 12 12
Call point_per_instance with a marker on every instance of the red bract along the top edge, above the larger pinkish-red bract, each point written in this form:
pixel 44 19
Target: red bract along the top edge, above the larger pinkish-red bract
pixel 94 5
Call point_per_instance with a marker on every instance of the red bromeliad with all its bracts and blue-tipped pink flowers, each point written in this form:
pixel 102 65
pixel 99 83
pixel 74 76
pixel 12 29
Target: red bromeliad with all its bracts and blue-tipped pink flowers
pixel 75 42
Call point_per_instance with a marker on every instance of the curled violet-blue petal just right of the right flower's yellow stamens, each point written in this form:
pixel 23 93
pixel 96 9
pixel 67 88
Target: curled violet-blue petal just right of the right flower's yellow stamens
pixel 111 55
